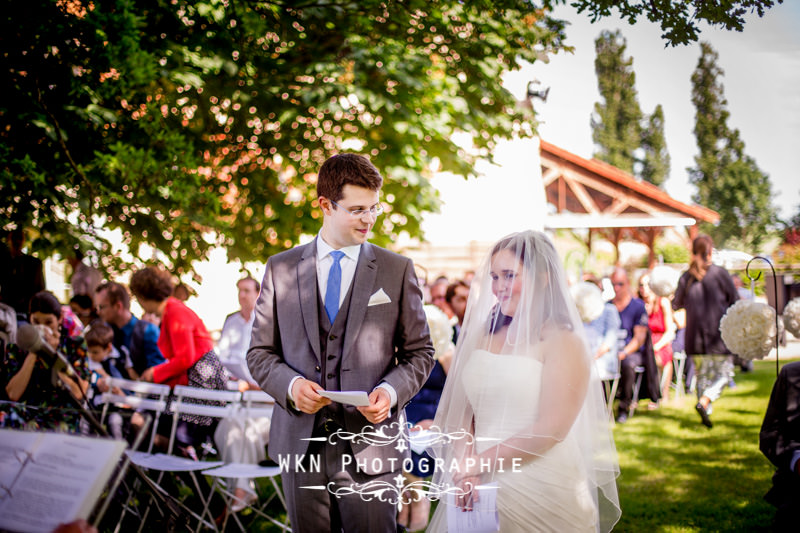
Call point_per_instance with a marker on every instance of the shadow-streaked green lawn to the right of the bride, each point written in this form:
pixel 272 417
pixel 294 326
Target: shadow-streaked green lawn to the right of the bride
pixel 677 475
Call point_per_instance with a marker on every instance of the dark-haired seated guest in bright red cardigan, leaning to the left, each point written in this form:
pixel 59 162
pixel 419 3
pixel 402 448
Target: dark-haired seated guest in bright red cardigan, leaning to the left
pixel 187 346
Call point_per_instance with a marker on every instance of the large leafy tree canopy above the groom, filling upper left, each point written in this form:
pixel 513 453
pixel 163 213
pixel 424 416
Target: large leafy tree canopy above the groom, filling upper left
pixel 190 124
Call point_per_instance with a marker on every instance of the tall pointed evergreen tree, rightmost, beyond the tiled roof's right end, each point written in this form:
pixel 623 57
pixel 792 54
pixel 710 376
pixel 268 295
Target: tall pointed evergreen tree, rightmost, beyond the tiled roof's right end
pixel 727 180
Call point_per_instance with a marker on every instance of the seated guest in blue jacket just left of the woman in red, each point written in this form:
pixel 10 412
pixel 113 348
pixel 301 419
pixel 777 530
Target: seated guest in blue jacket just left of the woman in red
pixel 136 338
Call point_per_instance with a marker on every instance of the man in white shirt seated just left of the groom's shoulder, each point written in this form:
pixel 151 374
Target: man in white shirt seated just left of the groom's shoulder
pixel 235 338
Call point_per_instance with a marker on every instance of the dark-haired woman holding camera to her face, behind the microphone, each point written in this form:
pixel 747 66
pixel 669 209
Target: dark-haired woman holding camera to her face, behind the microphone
pixel 31 379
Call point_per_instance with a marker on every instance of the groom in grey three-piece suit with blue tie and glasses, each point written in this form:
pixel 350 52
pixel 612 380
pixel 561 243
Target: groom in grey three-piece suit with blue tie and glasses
pixel 336 314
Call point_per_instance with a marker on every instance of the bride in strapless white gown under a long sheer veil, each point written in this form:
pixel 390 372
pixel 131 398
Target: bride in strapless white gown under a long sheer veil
pixel 524 388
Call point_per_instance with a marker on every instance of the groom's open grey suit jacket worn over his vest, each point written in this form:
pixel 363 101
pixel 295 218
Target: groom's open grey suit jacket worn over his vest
pixel 387 342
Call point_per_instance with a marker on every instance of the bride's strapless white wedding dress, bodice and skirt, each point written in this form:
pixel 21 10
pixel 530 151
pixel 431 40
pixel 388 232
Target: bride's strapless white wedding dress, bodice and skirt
pixel 548 492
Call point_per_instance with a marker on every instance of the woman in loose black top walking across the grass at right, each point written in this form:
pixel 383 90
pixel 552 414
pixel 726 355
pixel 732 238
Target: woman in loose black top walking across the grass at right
pixel 706 291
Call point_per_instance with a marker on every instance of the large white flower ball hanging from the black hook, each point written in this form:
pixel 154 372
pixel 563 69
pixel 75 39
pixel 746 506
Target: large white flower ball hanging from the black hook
pixel 748 329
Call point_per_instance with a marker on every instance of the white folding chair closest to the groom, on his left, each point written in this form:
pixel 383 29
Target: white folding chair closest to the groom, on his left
pixel 255 404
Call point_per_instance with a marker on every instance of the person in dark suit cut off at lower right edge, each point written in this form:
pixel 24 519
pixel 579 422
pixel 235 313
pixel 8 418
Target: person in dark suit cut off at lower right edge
pixel 779 440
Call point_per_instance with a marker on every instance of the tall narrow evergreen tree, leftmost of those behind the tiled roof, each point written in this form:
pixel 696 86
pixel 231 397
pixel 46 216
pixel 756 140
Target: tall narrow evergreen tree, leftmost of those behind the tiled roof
pixel 616 128
